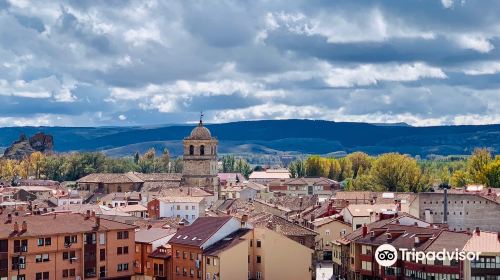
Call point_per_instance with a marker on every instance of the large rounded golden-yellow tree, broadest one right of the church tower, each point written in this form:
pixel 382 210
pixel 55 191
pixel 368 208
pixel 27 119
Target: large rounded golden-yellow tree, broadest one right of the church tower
pixel 397 173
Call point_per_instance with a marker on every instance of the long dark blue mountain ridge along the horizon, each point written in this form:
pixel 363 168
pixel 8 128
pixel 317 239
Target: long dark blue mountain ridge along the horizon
pixel 270 136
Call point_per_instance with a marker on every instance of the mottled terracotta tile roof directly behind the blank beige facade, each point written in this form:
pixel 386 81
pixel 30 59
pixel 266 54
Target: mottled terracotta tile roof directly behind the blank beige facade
pixel 280 225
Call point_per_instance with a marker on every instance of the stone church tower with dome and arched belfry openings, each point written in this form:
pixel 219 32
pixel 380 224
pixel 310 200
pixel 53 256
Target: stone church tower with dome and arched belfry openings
pixel 200 159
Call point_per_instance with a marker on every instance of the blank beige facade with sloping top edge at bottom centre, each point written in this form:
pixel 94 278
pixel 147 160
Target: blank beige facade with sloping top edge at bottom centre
pixel 269 261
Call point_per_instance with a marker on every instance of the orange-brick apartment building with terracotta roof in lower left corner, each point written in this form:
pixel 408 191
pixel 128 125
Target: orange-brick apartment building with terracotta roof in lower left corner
pixel 65 246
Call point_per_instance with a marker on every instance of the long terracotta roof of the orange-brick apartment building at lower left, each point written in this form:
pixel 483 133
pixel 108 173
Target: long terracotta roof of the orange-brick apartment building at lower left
pixel 63 223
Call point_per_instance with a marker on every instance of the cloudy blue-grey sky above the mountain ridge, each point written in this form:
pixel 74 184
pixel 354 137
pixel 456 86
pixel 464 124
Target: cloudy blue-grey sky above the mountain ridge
pixel 118 62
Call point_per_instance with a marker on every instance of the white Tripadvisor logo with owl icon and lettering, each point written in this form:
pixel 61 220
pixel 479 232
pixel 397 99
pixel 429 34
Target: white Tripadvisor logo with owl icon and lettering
pixel 387 255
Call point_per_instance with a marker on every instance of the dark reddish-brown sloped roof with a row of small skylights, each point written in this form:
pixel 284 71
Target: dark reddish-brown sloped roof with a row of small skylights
pixel 199 231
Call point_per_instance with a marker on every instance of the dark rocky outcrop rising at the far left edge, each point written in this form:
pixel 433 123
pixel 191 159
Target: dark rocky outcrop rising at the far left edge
pixel 24 147
